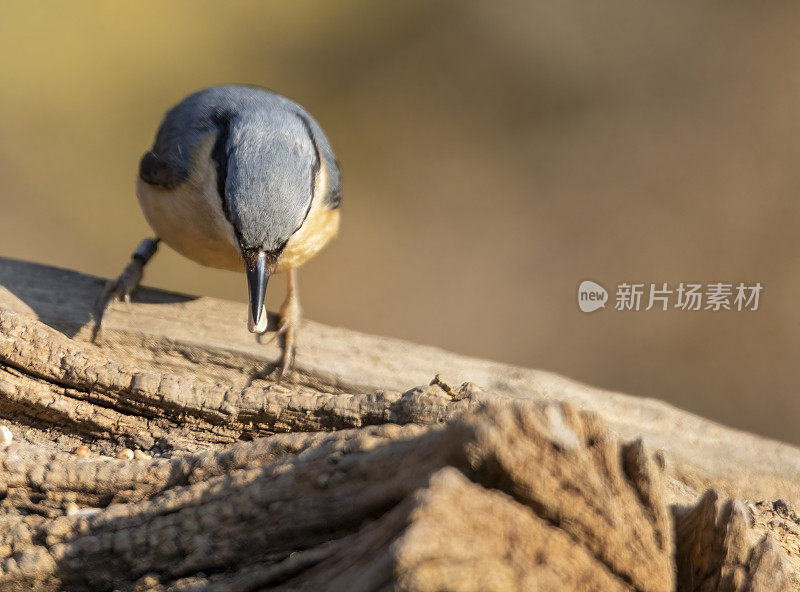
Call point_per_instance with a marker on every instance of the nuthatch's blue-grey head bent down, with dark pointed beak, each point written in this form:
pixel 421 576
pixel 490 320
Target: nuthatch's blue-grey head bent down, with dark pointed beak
pixel 271 164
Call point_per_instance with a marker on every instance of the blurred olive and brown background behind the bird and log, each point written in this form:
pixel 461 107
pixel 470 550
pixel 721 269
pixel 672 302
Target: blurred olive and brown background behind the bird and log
pixel 495 154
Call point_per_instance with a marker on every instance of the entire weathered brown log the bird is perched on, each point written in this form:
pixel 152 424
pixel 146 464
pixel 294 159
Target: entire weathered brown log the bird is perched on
pixel 353 476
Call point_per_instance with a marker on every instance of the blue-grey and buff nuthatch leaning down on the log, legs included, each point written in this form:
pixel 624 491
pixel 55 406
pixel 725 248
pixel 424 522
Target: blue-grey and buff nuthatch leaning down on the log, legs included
pixel 243 179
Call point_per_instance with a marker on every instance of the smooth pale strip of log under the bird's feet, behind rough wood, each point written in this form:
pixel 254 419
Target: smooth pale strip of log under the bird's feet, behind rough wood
pixel 173 335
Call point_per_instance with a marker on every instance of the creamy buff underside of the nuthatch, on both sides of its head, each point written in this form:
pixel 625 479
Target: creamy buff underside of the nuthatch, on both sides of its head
pixel 189 218
